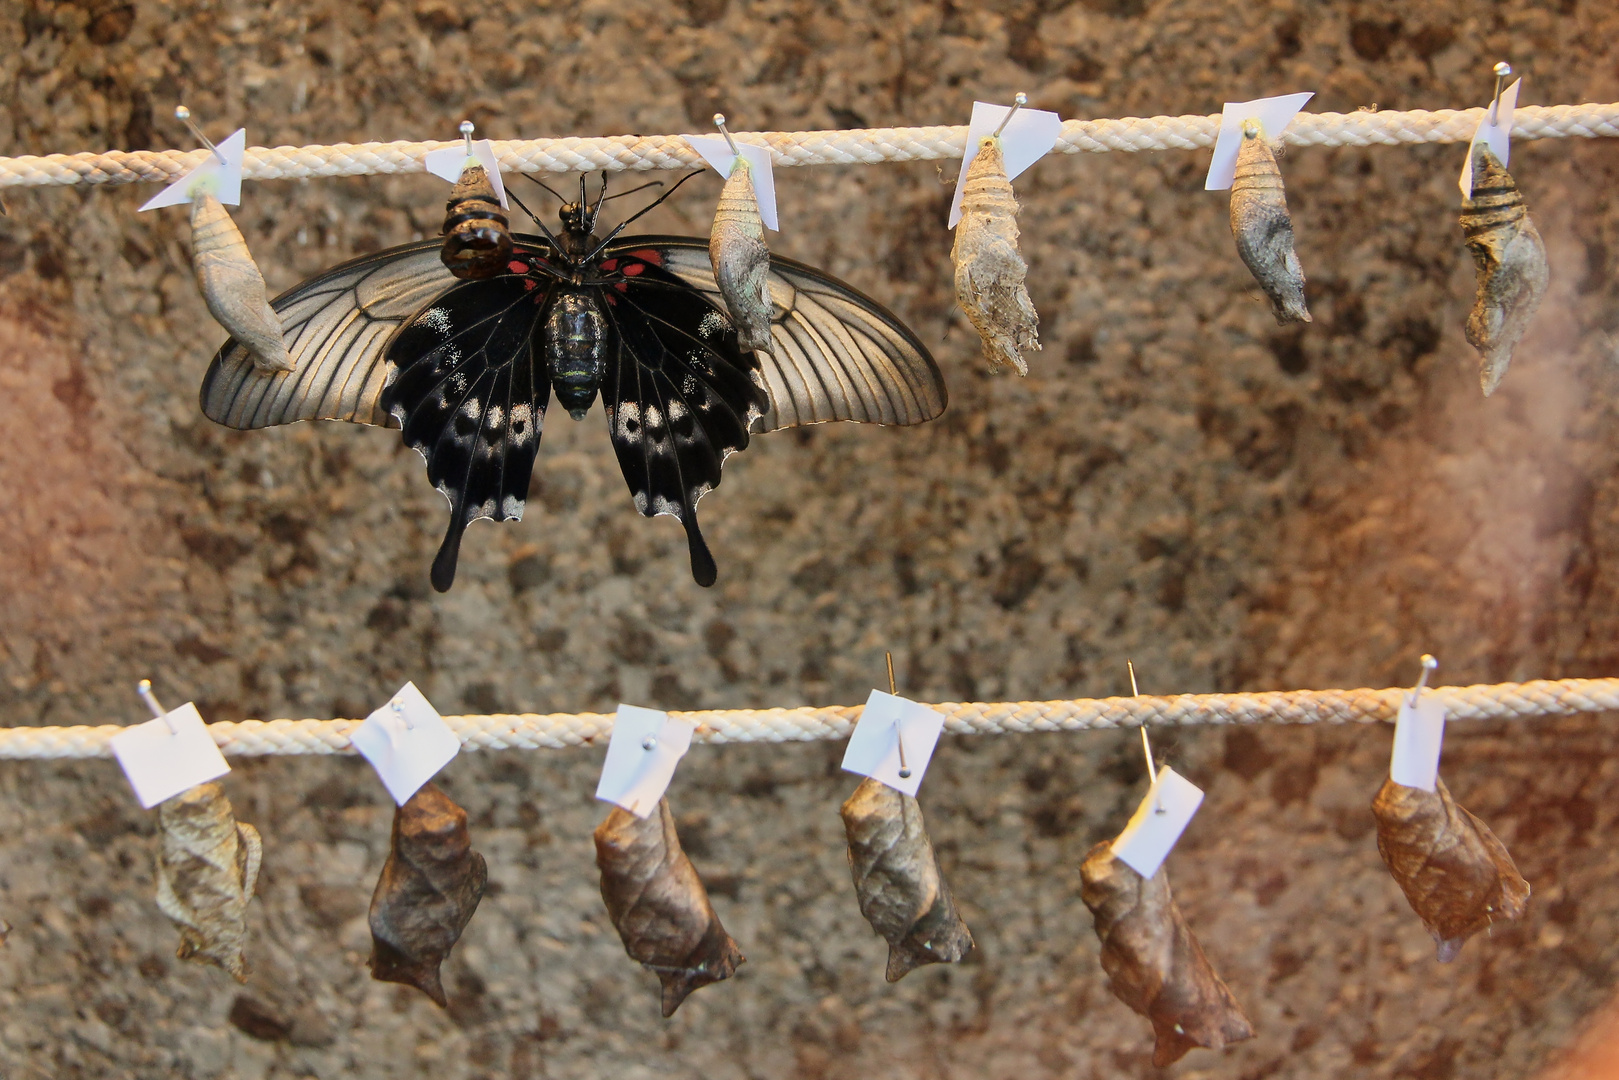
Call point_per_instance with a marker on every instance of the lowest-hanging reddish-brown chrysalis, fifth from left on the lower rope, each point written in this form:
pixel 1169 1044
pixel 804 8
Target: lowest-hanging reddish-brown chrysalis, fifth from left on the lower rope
pixel 1155 964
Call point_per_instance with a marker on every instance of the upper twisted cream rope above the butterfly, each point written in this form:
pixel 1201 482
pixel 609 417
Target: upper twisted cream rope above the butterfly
pixel 802 148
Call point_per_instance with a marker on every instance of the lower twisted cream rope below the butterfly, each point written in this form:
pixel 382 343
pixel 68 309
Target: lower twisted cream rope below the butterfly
pixel 530 731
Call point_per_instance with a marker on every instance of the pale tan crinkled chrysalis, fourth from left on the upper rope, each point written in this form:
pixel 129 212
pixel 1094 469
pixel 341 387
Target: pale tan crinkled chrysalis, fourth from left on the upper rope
pixel 988 268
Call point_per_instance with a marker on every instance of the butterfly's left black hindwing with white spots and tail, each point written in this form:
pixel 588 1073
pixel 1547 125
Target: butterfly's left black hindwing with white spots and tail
pixel 469 393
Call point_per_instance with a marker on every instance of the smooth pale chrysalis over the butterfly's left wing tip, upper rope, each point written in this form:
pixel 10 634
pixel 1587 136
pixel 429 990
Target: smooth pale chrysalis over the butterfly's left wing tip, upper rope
pixel 232 286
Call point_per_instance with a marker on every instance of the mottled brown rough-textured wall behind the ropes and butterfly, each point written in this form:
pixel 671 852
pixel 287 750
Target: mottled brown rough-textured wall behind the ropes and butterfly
pixel 1179 482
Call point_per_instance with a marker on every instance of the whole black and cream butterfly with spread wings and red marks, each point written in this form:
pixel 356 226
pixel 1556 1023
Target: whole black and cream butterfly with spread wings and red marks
pixel 465 368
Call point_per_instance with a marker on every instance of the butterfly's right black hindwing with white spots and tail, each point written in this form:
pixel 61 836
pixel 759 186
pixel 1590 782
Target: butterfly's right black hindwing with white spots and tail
pixel 681 393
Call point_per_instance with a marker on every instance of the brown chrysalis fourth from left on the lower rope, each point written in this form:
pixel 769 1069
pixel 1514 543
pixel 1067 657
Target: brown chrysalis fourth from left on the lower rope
pixel 901 888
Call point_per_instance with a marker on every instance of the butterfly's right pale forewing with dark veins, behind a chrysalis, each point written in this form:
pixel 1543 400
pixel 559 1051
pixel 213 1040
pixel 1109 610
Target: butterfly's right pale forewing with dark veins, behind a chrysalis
pixel 838 354
